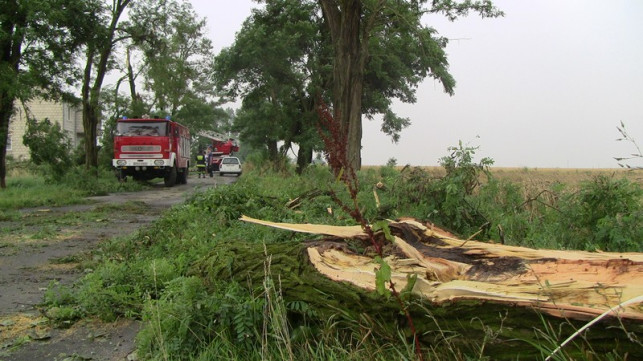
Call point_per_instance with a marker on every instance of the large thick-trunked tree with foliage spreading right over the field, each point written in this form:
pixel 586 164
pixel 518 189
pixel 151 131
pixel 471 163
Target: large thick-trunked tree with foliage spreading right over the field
pixel 386 35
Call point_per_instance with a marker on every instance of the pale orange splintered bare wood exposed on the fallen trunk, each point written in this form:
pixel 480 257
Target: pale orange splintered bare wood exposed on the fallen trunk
pixel 571 284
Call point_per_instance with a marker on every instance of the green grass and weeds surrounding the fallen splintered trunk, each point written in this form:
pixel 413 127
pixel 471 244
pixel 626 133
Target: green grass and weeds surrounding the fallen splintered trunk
pixel 160 274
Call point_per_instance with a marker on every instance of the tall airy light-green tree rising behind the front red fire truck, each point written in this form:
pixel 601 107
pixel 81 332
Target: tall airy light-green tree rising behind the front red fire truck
pixel 175 54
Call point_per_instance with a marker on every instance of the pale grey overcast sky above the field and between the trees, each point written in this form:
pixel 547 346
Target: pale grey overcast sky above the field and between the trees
pixel 545 86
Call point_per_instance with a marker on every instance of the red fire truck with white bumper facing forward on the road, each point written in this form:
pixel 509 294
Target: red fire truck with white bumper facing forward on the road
pixel 149 148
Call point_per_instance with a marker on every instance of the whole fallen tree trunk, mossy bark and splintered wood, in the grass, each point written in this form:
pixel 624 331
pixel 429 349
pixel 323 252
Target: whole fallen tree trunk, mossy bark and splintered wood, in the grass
pixel 467 287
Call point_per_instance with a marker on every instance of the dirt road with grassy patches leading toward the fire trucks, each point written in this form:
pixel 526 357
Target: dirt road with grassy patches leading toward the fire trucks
pixel 47 245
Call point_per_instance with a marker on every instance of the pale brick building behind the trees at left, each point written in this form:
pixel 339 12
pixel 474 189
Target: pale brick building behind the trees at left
pixel 69 117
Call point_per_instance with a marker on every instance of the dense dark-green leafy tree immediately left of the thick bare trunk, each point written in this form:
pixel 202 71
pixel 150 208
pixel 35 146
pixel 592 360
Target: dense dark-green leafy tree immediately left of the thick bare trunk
pixel 274 66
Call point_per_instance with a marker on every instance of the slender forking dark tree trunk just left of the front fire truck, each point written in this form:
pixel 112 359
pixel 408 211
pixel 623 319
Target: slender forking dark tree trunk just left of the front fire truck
pixel 98 55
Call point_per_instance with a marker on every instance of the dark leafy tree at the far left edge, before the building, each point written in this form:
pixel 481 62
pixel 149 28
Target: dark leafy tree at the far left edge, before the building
pixel 37 43
